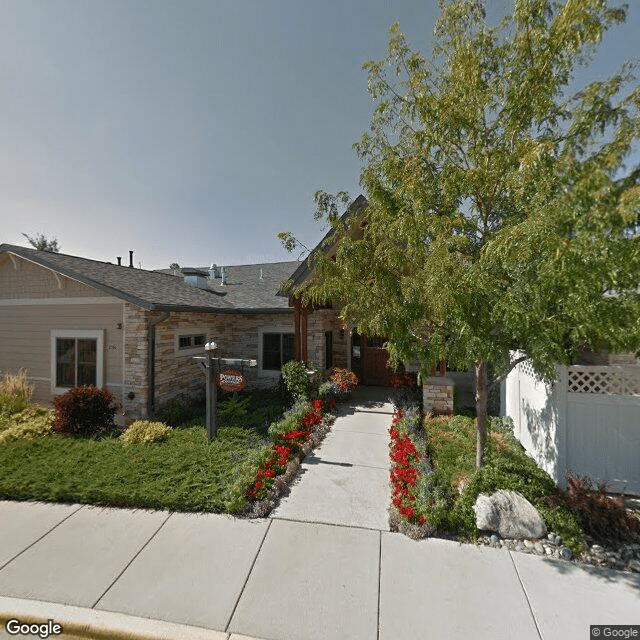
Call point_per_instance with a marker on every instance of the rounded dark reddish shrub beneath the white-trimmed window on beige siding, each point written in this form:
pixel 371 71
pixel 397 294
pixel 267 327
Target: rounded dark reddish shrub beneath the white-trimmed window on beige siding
pixel 84 411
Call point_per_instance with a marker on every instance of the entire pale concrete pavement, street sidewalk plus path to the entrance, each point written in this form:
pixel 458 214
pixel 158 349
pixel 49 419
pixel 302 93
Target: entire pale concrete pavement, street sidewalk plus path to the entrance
pixel 315 570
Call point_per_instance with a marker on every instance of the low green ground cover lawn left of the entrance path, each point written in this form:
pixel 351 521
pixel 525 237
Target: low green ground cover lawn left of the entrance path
pixel 183 473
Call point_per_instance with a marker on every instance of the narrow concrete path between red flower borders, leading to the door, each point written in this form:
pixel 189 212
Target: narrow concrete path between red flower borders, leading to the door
pixel 346 479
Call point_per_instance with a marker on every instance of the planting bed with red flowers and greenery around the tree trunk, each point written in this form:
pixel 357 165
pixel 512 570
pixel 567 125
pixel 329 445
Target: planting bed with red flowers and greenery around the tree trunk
pixel 435 481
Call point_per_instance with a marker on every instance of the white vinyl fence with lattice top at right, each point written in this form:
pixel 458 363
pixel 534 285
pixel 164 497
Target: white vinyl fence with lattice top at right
pixel 587 421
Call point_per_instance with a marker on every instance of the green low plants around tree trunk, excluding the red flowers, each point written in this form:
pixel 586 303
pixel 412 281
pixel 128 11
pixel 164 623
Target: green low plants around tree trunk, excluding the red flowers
pixel 448 496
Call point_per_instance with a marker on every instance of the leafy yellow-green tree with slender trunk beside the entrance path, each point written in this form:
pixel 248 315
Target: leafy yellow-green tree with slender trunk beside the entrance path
pixel 497 216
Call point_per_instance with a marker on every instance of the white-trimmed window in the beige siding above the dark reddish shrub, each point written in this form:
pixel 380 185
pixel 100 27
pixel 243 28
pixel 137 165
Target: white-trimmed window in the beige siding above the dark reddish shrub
pixel 76 358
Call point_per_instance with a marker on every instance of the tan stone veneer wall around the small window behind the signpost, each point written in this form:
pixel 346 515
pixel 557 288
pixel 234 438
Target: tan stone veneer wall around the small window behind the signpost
pixel 237 335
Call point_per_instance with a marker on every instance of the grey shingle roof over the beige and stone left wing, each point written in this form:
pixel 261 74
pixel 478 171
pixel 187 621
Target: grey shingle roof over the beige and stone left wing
pixel 246 292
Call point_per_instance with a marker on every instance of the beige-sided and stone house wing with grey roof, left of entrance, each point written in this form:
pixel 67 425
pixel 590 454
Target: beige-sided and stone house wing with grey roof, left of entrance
pixel 70 321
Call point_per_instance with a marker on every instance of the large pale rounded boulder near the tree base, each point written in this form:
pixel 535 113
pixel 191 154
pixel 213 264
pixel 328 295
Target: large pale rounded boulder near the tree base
pixel 509 514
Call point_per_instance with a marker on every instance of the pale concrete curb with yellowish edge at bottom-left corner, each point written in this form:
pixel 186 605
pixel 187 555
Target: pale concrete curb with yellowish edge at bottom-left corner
pixel 78 622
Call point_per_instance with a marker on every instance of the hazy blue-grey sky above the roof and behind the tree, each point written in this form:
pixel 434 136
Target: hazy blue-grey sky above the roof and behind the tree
pixel 194 131
